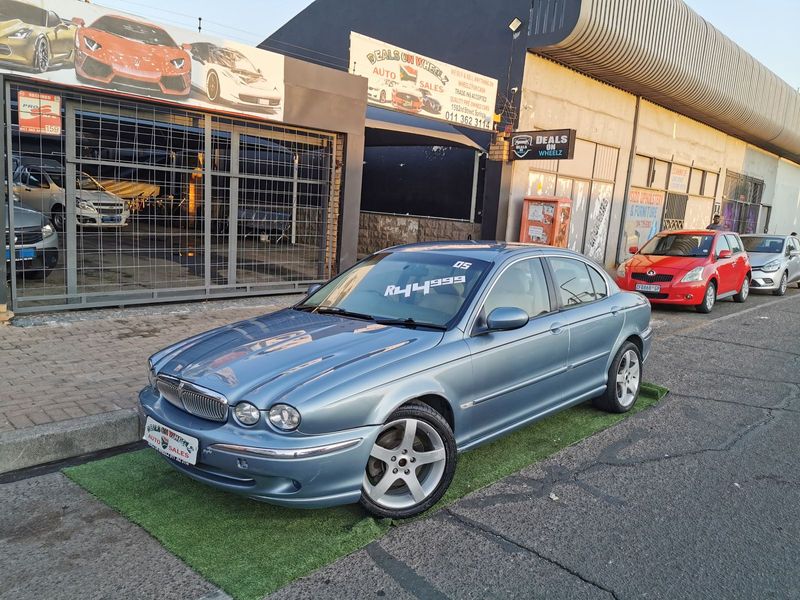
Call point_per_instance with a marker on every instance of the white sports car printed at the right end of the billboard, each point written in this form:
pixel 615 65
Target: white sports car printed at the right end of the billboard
pixel 227 75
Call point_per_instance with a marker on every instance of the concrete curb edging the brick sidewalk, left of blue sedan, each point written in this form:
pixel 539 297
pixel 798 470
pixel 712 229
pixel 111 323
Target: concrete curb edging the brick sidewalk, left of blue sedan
pixel 34 446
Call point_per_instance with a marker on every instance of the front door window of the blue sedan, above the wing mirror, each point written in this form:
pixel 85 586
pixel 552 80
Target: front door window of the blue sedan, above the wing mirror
pixel 522 285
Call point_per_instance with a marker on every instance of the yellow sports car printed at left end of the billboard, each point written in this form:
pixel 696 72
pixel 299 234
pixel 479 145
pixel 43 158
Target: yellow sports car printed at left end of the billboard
pixel 33 37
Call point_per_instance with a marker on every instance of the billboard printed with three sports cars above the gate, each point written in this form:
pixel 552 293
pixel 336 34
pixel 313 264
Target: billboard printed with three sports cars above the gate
pixel 84 45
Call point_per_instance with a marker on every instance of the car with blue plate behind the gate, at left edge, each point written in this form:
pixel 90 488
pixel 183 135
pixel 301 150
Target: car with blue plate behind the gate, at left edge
pixel 35 243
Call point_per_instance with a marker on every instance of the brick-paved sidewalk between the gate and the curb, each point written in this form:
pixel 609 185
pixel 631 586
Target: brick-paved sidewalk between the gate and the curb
pixel 71 365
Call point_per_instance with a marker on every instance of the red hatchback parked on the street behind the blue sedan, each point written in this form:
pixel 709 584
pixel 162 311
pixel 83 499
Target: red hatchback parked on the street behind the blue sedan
pixel 693 268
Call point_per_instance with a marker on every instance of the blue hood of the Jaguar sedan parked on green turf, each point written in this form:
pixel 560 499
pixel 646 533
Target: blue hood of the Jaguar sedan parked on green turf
pixel 290 355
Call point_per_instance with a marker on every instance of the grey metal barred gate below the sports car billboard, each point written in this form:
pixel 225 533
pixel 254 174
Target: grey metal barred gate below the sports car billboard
pixel 160 204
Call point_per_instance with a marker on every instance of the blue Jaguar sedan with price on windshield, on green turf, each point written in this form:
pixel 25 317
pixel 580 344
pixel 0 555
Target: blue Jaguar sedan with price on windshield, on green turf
pixel 367 390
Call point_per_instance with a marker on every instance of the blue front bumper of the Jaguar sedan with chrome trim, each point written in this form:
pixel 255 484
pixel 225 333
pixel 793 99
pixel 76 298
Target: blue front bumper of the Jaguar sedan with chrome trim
pixel 303 471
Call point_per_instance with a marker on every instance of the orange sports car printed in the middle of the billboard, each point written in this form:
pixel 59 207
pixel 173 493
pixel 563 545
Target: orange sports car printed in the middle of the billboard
pixel 132 55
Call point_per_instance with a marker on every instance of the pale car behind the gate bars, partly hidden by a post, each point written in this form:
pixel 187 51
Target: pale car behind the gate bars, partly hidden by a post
pixel 39 184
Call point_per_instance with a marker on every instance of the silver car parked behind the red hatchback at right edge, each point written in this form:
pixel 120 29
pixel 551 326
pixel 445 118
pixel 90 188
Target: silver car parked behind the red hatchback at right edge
pixel 775 261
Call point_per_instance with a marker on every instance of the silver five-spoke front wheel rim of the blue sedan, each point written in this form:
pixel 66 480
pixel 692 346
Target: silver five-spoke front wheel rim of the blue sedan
pixel 406 464
